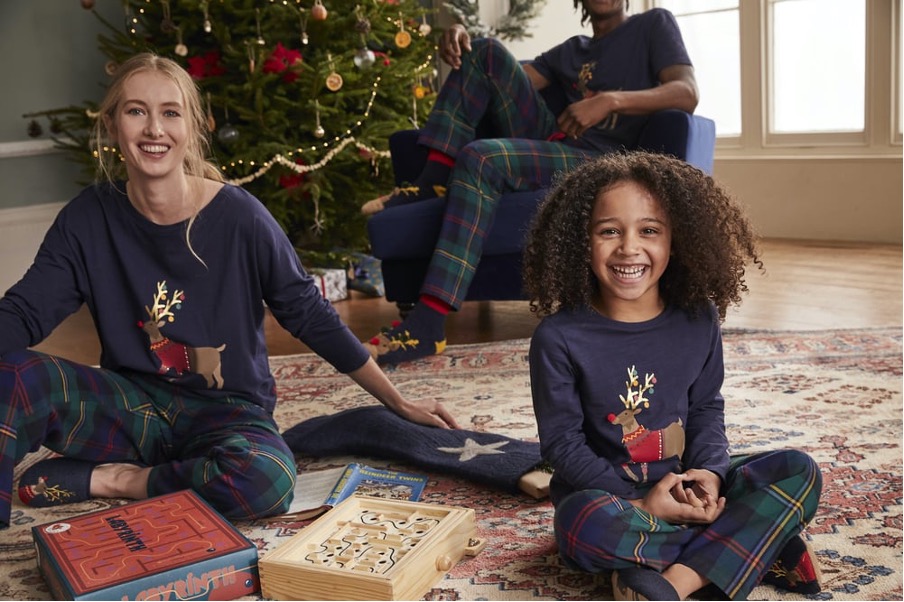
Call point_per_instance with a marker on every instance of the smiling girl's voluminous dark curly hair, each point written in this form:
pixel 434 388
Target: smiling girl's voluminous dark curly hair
pixel 712 240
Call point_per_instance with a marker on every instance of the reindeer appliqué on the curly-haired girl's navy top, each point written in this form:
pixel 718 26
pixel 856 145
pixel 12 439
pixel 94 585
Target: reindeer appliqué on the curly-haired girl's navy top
pixel 643 445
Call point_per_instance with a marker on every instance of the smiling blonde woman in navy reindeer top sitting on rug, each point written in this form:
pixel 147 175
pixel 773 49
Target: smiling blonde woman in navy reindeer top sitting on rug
pixel 176 267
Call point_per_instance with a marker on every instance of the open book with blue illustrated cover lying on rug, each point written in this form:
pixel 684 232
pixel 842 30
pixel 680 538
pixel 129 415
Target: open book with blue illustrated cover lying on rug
pixel 316 492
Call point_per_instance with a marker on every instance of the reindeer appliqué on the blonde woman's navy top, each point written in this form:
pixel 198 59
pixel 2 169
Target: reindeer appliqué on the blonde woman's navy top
pixel 175 357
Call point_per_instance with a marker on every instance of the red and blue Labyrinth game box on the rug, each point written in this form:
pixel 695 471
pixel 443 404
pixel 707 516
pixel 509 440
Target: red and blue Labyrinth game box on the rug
pixel 170 547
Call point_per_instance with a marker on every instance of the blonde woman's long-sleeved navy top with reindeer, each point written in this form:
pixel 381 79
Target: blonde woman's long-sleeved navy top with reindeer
pixel 159 310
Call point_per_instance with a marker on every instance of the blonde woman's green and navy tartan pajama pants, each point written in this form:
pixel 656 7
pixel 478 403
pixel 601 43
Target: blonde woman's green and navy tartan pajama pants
pixel 229 450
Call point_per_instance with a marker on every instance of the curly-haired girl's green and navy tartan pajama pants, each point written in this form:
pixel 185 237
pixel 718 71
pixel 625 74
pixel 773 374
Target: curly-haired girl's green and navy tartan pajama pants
pixel 770 498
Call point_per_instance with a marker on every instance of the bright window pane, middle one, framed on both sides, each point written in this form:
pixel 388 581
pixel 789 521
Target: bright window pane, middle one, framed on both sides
pixel 818 64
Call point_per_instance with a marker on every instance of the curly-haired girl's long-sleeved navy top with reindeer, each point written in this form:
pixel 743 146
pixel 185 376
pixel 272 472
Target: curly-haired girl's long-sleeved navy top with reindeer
pixel 619 405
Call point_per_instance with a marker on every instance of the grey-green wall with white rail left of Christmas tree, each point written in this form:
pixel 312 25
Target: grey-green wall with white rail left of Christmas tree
pixel 50 60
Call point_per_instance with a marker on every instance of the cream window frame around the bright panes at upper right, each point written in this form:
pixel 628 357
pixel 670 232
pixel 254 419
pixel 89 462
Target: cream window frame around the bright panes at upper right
pixel 881 135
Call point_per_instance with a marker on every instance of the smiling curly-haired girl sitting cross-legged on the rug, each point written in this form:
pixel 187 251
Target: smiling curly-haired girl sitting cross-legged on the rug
pixel 632 262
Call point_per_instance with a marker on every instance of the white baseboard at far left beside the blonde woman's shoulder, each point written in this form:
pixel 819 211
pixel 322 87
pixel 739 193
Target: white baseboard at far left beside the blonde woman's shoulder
pixel 21 231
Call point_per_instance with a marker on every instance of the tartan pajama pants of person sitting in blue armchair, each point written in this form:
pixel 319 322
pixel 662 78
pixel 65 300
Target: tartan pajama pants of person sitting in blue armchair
pixel 490 87
